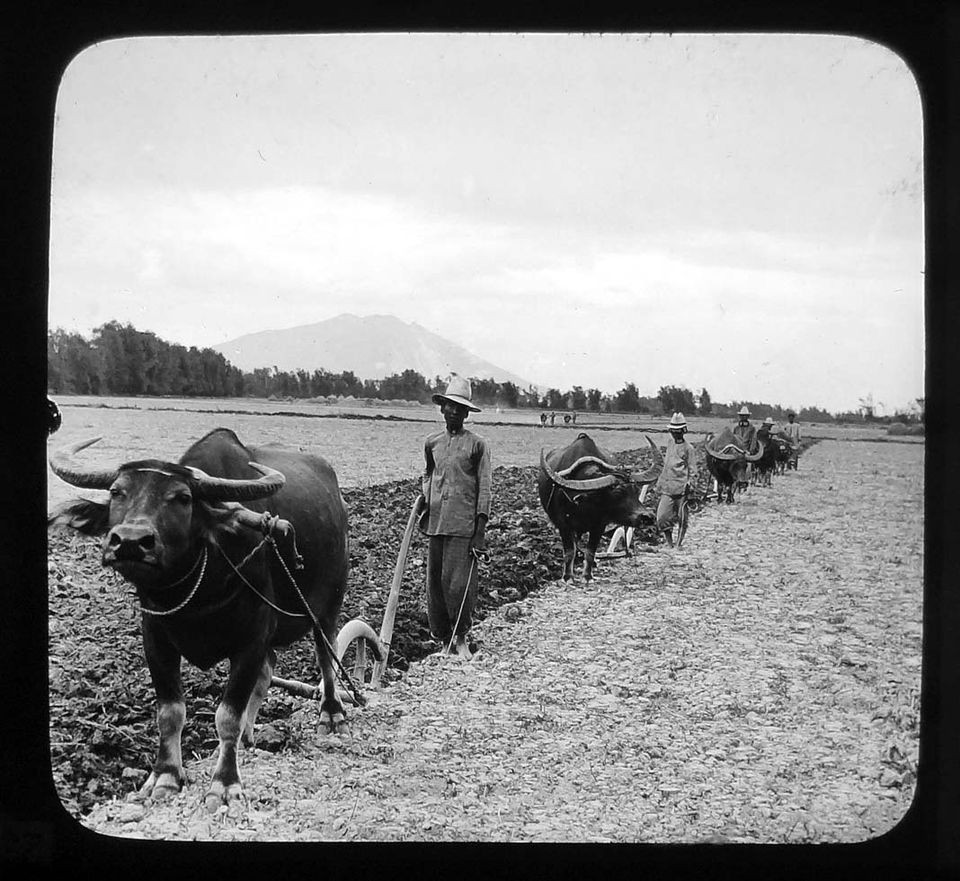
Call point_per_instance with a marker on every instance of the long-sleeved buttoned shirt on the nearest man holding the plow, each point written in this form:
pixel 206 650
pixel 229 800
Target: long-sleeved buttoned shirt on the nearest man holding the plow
pixel 456 482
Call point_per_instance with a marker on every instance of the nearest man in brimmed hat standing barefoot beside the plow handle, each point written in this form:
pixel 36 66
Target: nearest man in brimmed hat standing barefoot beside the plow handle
pixel 456 503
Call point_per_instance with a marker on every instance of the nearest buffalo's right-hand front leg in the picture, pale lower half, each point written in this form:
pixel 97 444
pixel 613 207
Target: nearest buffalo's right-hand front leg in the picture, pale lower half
pixel 246 671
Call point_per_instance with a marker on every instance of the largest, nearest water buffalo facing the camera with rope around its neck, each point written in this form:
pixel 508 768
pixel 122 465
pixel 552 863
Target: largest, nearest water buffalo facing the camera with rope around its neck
pixel 178 534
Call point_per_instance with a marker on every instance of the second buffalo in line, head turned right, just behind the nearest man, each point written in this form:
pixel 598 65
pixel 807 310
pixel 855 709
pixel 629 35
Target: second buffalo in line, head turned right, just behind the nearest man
pixel 582 490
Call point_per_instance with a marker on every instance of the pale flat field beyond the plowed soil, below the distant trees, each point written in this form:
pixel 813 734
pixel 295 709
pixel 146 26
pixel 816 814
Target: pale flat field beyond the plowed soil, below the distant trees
pixel 365 445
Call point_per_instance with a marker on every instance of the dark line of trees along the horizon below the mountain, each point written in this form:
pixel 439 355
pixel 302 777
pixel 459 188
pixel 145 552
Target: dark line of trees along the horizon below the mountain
pixel 118 359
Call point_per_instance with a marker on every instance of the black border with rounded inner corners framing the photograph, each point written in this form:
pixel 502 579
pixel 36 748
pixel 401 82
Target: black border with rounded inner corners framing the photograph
pixel 35 831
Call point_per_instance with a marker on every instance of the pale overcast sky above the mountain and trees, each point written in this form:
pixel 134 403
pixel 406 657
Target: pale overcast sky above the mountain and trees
pixel 742 213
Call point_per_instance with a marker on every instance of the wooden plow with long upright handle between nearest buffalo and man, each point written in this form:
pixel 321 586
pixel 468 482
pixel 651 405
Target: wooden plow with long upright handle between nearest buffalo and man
pixel 359 632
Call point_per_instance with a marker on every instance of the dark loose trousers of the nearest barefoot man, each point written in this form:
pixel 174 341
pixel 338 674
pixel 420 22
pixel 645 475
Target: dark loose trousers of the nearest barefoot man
pixel 448 567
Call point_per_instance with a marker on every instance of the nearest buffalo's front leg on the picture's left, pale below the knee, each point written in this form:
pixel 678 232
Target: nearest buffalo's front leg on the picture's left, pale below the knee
pixel 163 659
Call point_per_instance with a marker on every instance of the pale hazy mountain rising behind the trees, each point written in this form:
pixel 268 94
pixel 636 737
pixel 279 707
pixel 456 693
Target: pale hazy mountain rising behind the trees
pixel 372 347
